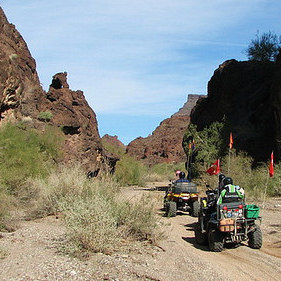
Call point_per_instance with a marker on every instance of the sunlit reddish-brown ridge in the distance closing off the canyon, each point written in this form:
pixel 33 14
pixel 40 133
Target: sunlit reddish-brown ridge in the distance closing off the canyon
pixel 165 143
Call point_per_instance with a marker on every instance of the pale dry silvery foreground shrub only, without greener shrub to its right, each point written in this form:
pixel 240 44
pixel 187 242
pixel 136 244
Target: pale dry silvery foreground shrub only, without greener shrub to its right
pixel 91 223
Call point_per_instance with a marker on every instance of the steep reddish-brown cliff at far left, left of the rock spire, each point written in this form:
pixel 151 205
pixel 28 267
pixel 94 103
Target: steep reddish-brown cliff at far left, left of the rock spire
pixel 19 84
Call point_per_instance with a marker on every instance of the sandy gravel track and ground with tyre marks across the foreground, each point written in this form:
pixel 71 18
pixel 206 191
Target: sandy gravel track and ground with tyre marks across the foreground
pixel 32 254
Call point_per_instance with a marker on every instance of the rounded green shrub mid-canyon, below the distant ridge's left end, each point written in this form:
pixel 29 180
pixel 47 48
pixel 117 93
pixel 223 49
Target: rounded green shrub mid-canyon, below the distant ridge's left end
pixel 129 171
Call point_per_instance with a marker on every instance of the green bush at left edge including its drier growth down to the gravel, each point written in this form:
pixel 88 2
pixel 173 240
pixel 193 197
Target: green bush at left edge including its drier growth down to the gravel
pixel 24 154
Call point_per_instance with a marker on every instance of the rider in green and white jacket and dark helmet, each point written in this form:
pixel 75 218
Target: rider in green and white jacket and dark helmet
pixel 230 192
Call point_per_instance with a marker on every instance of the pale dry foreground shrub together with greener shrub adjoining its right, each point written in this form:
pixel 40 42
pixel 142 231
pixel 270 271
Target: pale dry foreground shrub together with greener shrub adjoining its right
pixel 97 223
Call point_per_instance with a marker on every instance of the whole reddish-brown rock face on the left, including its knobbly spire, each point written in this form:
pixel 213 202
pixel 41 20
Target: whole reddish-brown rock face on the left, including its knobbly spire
pixel 22 97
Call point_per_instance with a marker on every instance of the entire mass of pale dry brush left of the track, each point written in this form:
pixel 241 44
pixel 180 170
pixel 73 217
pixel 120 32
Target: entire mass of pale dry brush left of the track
pixel 96 219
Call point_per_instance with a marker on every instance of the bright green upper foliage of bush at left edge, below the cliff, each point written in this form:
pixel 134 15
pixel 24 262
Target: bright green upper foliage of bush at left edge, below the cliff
pixel 25 153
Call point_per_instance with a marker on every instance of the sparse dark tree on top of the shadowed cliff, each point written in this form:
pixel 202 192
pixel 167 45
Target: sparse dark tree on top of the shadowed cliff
pixel 264 47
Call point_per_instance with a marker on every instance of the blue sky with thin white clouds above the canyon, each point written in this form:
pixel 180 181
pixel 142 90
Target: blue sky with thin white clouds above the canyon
pixel 138 60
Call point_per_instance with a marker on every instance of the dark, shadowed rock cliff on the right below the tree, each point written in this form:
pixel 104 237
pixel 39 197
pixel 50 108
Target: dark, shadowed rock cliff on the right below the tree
pixel 248 94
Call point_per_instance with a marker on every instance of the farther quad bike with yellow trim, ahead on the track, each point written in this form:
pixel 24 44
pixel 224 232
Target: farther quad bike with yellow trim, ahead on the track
pixel 181 196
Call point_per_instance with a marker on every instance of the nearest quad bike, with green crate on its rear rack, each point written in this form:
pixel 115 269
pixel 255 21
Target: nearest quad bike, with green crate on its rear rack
pixel 227 223
